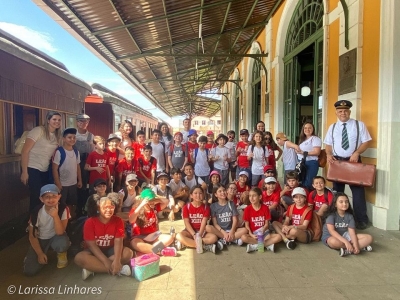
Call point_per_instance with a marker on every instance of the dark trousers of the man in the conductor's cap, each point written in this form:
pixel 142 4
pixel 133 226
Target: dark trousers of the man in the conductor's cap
pixel 358 191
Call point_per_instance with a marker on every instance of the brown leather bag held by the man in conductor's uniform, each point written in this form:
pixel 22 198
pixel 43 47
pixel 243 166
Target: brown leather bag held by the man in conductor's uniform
pixel 352 173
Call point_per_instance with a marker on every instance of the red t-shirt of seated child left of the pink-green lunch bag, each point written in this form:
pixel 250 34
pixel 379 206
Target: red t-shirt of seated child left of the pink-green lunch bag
pixel 103 234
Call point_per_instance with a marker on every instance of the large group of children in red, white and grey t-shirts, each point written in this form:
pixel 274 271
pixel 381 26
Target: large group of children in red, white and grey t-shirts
pixel 216 210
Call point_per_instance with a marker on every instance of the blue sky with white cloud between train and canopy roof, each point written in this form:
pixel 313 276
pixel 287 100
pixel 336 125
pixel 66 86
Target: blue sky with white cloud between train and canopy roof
pixel 25 20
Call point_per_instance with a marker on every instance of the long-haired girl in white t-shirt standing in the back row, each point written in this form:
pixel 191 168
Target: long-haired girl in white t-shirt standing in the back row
pixel 257 153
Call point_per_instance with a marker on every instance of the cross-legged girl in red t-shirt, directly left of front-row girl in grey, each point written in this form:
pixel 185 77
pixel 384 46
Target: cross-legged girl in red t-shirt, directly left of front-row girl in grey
pixel 195 216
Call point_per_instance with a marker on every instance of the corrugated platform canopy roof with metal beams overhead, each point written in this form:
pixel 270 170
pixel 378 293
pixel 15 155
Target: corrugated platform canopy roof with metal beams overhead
pixel 174 52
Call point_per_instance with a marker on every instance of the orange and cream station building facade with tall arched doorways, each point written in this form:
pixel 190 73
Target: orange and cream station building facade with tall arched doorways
pixel 314 53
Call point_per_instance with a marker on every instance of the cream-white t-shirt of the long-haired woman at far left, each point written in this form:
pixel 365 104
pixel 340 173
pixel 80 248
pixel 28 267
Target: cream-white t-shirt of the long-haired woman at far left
pixel 42 150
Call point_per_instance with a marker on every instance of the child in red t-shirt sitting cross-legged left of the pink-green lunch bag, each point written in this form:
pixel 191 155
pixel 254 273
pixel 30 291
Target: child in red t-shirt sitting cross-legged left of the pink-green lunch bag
pixel 103 235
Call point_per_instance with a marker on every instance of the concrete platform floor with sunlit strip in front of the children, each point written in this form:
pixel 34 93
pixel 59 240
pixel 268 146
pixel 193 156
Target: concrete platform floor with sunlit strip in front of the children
pixel 308 272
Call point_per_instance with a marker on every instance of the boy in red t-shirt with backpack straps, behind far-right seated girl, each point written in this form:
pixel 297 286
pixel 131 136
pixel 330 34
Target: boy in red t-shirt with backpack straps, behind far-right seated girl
pixel 321 197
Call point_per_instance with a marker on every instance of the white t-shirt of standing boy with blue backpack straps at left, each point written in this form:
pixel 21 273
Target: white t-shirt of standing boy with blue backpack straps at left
pixel 68 170
